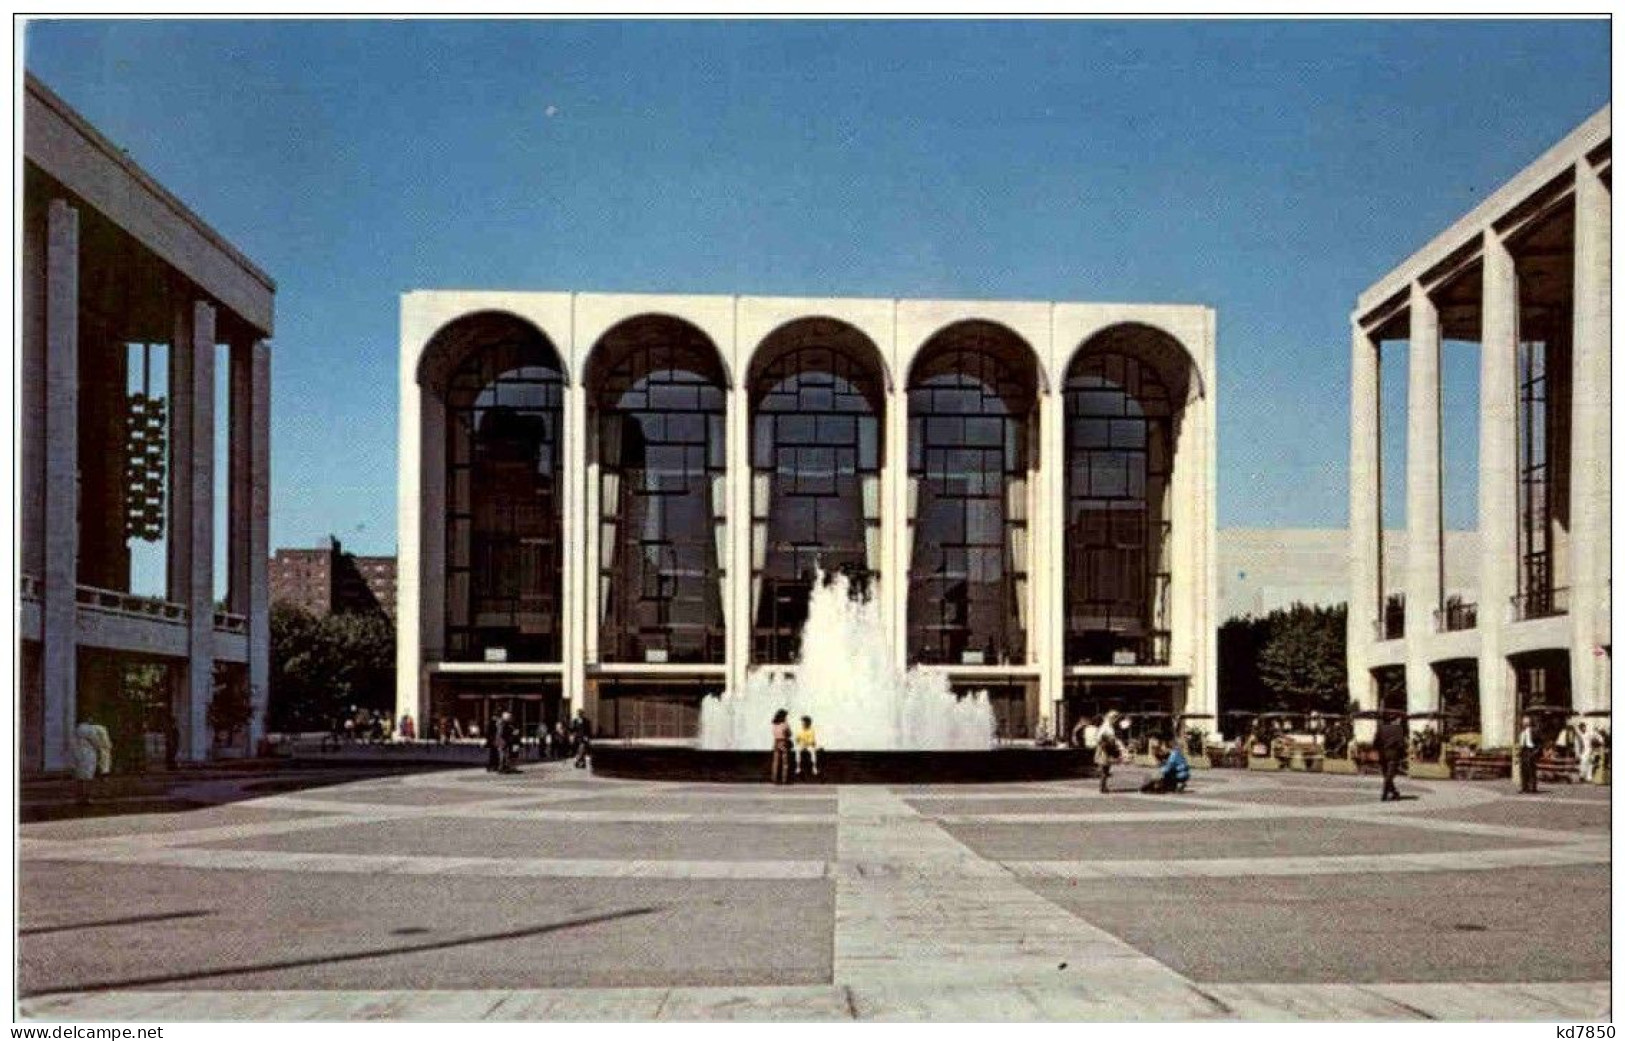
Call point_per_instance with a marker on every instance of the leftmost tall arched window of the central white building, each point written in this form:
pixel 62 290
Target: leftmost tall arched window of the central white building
pixel 503 508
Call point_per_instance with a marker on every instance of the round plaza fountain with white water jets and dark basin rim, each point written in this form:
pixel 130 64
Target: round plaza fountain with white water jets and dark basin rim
pixel 875 720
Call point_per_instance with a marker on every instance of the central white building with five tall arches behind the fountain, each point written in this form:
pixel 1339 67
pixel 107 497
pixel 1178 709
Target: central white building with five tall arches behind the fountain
pixel 622 501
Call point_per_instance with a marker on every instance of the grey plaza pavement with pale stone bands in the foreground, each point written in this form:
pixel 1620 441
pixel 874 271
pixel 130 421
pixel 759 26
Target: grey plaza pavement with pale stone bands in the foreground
pixel 558 896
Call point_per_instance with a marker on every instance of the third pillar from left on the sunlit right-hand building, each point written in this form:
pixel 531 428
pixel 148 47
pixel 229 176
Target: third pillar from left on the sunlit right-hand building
pixel 1497 488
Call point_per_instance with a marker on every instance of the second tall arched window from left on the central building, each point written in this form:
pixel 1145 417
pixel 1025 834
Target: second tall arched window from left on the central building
pixel 659 412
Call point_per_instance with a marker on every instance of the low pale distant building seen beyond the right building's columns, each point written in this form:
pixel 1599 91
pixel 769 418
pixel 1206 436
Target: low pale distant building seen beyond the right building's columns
pixel 1267 569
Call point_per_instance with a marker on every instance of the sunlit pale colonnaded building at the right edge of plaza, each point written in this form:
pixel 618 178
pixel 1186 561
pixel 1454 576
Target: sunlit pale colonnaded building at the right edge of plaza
pixel 1523 280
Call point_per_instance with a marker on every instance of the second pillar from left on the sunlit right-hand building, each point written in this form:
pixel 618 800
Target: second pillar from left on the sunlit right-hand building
pixel 1424 519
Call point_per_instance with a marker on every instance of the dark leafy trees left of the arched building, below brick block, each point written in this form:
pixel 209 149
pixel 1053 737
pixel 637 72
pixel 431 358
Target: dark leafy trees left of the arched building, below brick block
pixel 323 665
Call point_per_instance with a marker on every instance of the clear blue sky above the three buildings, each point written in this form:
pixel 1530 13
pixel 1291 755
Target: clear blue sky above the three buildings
pixel 1270 170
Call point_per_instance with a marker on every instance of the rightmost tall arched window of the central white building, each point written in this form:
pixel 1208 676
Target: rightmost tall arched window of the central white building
pixel 1119 464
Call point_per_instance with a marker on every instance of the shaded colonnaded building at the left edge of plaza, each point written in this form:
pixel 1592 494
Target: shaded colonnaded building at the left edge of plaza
pixel 134 313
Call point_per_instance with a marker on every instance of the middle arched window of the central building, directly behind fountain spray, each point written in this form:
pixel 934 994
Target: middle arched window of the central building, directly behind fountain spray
pixel 817 413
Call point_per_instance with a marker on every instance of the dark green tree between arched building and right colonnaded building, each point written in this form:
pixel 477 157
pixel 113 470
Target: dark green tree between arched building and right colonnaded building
pixel 1304 663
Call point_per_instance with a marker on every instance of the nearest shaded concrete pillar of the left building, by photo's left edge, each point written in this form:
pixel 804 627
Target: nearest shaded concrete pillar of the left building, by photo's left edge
pixel 59 610
